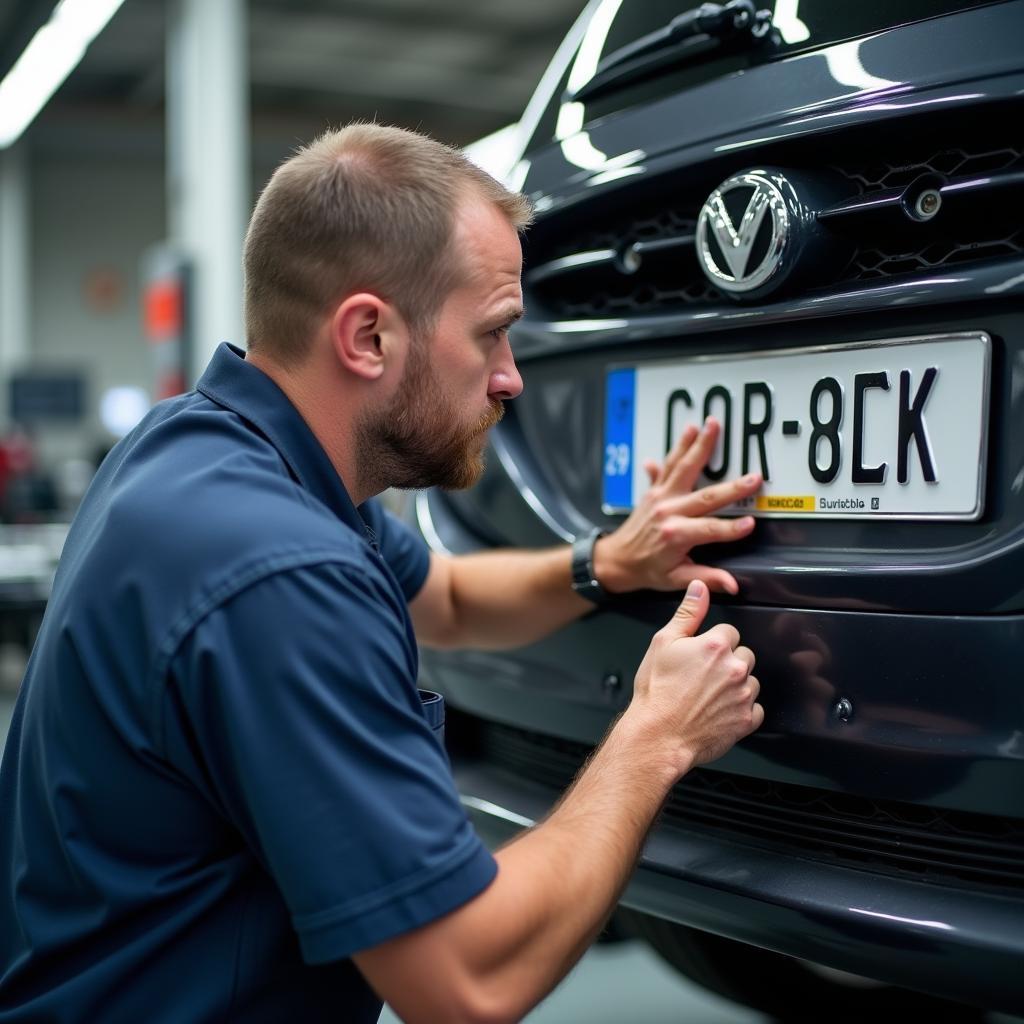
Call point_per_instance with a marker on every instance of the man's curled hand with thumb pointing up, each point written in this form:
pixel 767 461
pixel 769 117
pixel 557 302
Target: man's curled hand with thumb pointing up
pixel 696 694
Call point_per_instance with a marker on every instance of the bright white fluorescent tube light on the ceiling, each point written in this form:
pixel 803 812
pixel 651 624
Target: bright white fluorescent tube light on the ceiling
pixel 54 54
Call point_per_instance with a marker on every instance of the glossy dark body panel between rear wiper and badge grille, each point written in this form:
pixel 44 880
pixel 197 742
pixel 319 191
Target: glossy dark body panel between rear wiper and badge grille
pixel 917 70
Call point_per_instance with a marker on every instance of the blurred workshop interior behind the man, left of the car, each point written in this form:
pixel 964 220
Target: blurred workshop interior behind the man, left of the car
pixel 135 138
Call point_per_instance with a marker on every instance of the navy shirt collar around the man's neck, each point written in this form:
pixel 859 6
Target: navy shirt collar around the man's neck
pixel 238 386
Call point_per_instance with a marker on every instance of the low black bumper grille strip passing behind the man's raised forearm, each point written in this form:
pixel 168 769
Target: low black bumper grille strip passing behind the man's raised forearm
pixel 926 844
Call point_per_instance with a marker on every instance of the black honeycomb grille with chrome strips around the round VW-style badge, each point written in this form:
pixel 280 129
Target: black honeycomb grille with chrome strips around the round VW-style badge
pixel 642 259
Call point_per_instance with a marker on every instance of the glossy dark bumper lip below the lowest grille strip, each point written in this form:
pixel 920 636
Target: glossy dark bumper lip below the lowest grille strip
pixel 967 947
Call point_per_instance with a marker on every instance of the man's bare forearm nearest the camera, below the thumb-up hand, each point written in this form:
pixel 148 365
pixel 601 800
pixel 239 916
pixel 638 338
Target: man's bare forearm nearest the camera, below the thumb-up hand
pixel 556 887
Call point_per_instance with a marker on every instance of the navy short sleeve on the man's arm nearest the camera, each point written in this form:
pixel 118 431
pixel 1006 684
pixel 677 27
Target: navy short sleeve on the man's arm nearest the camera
pixel 293 707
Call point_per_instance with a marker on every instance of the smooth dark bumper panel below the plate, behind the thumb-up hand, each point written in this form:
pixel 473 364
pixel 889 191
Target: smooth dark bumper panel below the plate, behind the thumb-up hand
pixel 940 709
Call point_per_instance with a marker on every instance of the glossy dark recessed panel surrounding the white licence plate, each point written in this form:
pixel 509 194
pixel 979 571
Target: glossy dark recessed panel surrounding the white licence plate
pixel 931 568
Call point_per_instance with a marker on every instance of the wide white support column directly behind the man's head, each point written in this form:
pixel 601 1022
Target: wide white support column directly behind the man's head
pixel 208 175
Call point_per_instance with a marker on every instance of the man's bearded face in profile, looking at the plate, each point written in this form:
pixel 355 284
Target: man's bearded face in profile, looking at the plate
pixel 434 431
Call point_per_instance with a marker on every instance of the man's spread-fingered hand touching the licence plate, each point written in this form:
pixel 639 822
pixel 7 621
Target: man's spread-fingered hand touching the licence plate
pixel 652 549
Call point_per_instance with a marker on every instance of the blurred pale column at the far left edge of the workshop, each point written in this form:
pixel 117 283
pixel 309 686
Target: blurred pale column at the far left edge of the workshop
pixel 16 271
